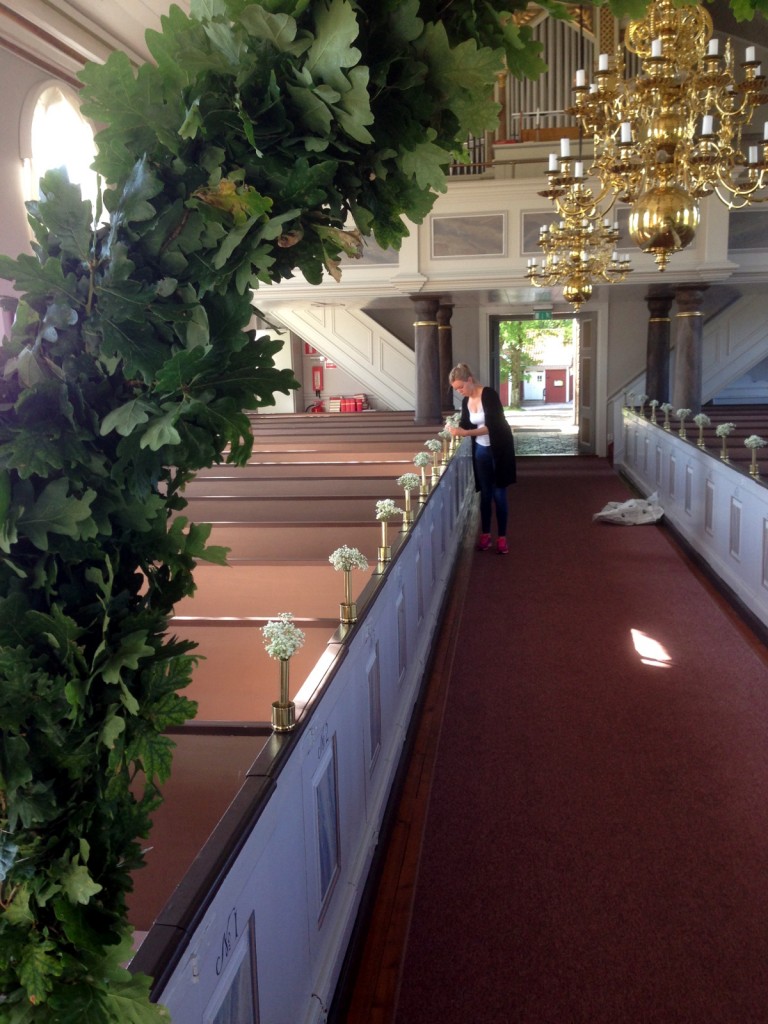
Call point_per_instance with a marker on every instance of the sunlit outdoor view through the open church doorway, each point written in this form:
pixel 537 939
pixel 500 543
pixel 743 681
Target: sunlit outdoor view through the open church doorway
pixel 535 365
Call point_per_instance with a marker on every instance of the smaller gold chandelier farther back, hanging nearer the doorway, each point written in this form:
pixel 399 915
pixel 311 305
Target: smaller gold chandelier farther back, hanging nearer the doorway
pixel 581 249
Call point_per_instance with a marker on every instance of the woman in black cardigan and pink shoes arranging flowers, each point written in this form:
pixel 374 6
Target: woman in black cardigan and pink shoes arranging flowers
pixel 483 419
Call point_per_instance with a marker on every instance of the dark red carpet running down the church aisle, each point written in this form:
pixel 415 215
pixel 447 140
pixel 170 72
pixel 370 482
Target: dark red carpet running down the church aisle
pixel 596 848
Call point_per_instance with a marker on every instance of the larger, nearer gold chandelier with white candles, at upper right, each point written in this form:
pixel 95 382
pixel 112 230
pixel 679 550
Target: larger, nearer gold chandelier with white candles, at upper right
pixel 675 134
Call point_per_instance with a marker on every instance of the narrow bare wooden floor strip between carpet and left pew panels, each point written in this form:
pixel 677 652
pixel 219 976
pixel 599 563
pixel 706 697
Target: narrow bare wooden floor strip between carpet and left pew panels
pixel 370 995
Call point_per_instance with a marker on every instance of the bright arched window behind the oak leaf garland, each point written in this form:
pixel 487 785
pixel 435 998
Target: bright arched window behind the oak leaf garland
pixel 56 135
